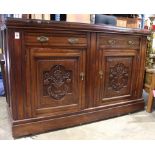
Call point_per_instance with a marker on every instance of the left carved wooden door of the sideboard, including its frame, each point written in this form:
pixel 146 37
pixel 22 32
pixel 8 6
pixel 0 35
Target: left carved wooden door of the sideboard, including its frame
pixel 56 80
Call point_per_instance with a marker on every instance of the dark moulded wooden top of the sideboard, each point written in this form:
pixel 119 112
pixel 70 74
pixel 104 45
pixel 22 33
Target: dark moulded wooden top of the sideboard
pixel 61 25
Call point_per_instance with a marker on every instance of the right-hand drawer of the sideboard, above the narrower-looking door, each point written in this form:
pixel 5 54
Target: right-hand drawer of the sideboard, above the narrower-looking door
pixel 114 41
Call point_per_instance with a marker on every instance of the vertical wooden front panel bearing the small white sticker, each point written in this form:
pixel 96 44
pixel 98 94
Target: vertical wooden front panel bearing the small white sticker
pixel 15 69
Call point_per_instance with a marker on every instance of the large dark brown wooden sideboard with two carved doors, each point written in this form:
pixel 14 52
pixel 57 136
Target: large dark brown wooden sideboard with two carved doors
pixel 62 74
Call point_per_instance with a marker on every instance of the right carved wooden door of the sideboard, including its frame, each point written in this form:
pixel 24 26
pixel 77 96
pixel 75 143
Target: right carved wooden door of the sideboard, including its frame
pixel 117 73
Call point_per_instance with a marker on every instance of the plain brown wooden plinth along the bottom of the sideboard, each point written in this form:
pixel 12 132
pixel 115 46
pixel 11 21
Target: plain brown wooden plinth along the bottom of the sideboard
pixel 40 126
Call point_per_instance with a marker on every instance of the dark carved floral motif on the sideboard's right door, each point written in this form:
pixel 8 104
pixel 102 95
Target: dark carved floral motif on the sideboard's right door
pixel 118 76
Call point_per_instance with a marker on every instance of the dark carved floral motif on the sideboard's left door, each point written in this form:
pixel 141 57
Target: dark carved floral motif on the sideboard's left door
pixel 57 81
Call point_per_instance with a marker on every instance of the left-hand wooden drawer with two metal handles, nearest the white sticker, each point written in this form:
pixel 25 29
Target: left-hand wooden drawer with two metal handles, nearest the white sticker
pixel 54 39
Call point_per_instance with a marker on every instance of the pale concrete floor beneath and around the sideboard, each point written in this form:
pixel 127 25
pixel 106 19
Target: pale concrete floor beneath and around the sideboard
pixel 139 125
